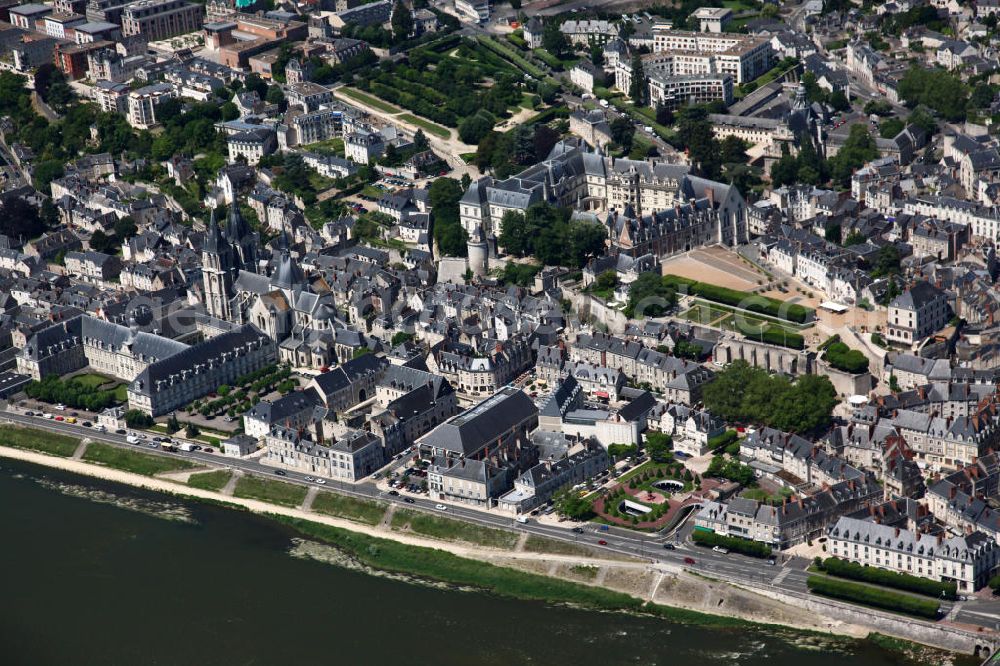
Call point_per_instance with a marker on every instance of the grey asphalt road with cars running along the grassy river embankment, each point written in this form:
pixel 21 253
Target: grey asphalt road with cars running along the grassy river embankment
pixel 788 574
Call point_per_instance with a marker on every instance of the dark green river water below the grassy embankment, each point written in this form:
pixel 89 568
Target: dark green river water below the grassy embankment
pixel 97 573
